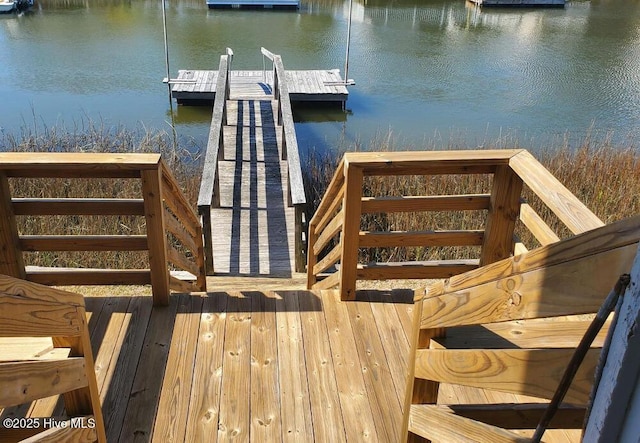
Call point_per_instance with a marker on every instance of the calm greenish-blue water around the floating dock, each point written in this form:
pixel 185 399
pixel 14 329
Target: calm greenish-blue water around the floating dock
pixel 432 72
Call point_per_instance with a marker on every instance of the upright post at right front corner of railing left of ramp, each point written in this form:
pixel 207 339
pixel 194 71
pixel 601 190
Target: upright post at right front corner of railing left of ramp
pixel 156 234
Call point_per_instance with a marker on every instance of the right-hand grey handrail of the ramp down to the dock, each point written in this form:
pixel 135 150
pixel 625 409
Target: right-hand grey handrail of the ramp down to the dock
pixel 290 153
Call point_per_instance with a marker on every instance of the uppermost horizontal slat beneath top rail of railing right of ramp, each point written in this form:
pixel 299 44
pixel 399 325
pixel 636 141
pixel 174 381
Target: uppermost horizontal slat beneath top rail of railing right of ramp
pixel 469 202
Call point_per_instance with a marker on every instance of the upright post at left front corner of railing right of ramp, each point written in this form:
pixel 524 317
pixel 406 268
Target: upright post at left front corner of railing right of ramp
pixel 349 240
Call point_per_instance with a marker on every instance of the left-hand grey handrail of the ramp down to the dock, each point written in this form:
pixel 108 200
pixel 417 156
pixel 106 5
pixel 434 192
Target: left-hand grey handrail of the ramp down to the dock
pixel 209 195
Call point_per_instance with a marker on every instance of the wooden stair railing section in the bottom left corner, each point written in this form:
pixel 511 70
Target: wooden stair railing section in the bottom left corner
pixel 35 311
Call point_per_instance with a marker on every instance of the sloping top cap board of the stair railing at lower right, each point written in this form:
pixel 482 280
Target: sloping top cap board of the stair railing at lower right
pixel 612 236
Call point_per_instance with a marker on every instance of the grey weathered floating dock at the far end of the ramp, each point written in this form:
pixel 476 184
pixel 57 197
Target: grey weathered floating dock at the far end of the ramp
pixel 304 86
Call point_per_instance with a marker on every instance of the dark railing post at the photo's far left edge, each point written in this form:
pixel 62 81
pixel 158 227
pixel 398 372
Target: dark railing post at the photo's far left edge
pixel 11 261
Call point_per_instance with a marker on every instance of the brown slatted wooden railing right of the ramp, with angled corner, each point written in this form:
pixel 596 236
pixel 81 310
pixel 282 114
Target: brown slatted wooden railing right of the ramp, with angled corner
pixel 335 234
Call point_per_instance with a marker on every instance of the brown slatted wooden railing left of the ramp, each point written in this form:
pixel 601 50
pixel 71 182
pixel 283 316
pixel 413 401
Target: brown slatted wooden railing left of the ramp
pixel 173 232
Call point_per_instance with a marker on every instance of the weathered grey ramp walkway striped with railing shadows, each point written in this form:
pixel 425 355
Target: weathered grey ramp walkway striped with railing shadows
pixel 253 227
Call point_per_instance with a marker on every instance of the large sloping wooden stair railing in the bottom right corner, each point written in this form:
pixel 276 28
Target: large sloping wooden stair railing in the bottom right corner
pixel 483 329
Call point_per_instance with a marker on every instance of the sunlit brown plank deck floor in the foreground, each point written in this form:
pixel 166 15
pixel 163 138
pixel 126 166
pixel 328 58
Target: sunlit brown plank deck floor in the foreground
pixel 251 365
